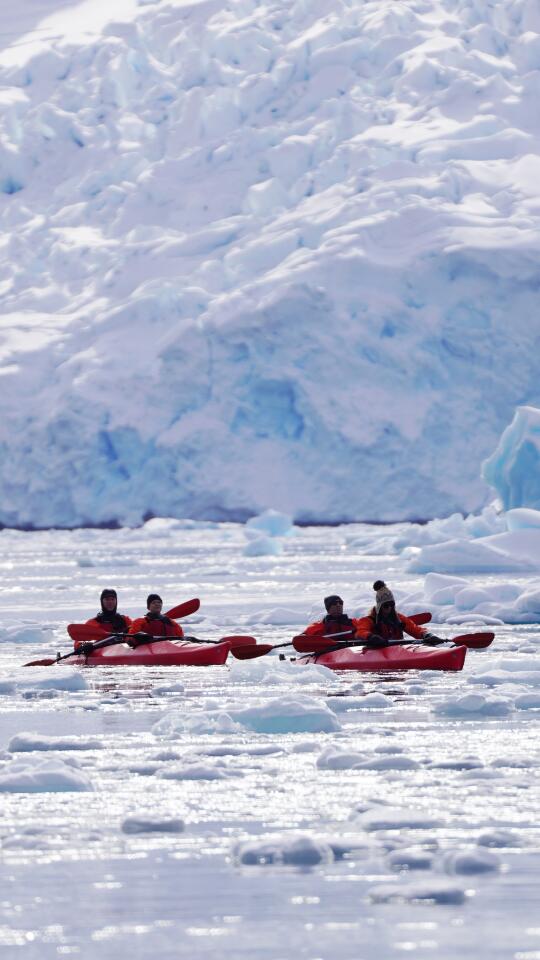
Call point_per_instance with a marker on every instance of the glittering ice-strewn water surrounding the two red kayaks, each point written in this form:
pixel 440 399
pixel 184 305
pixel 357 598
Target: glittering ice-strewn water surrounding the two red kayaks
pixel 162 745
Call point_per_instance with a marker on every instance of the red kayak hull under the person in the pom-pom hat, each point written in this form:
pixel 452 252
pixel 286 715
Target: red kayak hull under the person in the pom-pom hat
pixel 399 657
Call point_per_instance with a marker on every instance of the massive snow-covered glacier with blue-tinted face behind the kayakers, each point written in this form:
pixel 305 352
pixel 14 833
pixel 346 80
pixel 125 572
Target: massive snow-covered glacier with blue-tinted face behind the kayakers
pixel 266 256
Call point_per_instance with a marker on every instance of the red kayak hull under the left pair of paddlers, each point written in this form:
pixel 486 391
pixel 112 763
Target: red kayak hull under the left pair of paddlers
pixel 161 653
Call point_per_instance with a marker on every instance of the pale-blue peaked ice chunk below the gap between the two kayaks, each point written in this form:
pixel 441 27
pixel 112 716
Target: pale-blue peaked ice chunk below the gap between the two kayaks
pixel 288 714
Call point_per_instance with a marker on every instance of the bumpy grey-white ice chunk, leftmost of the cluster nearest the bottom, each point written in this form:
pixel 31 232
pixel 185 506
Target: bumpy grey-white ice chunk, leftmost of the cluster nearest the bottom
pixel 300 851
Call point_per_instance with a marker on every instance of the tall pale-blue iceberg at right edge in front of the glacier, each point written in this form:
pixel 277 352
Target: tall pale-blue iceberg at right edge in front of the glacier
pixel 514 467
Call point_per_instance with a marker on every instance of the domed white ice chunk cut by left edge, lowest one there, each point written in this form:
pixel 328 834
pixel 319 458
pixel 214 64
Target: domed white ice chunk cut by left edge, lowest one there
pixel 42 775
